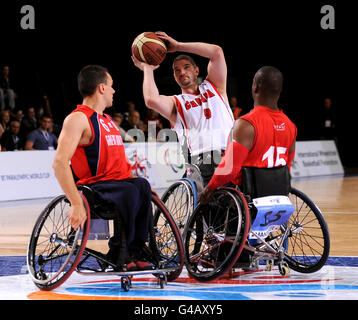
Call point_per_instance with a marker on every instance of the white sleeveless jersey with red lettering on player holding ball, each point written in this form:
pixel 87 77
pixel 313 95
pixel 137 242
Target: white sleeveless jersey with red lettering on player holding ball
pixel 205 119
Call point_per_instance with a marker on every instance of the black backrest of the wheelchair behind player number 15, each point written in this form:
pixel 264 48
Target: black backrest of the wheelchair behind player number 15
pixel 262 182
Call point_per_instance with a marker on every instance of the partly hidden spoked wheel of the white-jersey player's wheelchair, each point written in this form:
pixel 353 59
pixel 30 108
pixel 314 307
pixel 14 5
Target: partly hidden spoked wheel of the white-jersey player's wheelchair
pixel 179 199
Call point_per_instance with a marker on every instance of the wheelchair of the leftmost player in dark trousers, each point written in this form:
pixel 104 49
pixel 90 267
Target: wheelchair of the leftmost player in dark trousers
pixel 55 249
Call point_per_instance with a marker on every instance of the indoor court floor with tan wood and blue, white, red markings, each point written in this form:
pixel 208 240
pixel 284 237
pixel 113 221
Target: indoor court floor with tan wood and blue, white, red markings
pixel 336 196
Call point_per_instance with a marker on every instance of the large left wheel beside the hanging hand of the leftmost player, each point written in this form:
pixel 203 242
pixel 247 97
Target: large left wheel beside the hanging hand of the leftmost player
pixel 55 248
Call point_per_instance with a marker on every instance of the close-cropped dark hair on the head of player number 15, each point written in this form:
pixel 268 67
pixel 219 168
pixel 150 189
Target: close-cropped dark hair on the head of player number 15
pixel 269 80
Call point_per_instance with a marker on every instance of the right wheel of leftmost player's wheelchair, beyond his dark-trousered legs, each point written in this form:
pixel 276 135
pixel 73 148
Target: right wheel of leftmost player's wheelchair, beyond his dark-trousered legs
pixel 167 240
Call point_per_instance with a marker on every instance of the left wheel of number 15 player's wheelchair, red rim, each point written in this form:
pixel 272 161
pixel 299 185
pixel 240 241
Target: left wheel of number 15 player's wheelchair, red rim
pixel 215 235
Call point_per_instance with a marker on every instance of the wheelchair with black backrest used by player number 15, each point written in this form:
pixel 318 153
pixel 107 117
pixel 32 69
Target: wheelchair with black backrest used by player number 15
pixel 268 220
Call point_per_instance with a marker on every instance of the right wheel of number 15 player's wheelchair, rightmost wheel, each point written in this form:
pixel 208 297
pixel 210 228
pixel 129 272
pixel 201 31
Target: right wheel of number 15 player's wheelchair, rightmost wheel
pixel 307 242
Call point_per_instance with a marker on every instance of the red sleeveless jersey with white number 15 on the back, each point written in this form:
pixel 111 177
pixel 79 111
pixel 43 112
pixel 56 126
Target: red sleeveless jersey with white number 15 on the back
pixel 274 136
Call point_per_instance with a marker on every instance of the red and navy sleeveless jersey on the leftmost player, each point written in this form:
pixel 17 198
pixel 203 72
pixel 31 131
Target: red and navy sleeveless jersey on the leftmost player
pixel 104 157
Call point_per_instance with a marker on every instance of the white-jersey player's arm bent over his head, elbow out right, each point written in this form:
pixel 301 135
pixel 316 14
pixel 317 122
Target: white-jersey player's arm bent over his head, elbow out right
pixel 217 69
